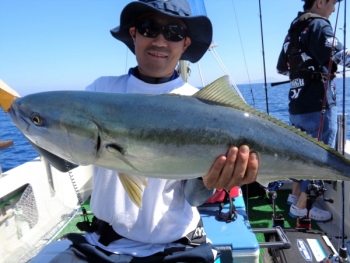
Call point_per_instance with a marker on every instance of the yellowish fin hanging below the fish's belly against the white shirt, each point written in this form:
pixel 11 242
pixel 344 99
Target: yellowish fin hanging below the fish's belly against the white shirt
pixel 133 185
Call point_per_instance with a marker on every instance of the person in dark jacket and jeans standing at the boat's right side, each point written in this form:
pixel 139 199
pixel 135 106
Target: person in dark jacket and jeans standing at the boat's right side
pixel 307 50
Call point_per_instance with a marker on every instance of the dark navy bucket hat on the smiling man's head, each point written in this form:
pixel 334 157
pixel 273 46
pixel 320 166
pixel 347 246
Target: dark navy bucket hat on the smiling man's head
pixel 199 27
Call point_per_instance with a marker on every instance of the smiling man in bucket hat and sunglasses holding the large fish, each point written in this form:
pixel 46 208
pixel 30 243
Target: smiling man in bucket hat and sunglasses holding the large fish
pixel 168 228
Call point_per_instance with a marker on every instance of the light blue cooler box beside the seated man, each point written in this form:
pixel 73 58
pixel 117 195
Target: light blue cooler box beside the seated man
pixel 236 241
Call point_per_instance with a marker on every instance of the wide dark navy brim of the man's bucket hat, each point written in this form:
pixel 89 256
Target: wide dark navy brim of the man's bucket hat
pixel 199 28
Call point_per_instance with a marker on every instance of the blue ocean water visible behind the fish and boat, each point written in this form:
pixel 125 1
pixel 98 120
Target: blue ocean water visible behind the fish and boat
pixel 254 94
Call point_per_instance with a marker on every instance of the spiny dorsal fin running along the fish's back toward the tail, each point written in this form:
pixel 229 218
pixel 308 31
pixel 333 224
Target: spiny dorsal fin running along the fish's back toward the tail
pixel 221 93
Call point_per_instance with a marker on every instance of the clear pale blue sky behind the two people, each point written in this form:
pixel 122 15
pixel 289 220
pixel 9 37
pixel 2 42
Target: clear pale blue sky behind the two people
pixel 64 44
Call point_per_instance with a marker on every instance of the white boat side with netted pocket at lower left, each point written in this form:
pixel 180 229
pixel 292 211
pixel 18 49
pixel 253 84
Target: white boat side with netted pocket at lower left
pixel 47 208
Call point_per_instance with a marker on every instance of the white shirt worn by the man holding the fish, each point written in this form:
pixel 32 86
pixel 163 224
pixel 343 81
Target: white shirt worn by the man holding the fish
pixel 166 215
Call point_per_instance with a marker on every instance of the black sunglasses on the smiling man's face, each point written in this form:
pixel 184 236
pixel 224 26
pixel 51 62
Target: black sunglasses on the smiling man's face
pixel 149 28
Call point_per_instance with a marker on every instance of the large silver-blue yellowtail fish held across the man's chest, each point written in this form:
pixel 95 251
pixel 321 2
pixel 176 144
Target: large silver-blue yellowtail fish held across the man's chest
pixel 169 136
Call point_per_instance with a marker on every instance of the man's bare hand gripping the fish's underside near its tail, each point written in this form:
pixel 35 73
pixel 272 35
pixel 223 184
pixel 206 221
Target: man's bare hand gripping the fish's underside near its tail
pixel 238 167
